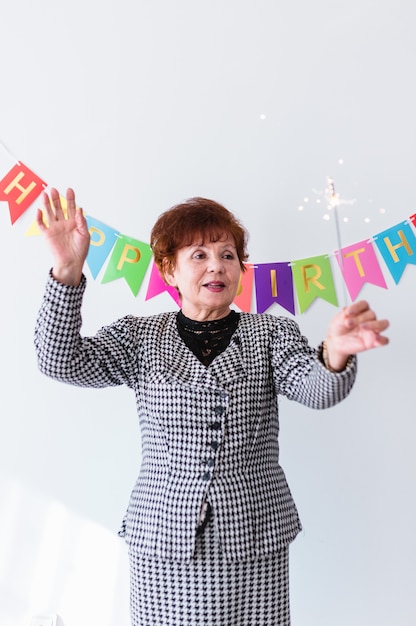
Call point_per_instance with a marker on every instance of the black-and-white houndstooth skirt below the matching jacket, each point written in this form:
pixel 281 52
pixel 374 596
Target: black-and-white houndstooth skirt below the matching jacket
pixel 209 590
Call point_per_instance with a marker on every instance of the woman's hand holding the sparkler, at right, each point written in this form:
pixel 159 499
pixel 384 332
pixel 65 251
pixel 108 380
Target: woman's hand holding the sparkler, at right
pixel 354 329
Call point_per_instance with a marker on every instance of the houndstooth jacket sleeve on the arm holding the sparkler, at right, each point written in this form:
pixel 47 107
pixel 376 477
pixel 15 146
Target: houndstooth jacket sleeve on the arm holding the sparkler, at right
pixel 299 374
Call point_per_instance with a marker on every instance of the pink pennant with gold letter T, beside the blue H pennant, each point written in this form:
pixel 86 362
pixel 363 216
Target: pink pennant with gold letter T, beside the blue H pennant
pixel 359 265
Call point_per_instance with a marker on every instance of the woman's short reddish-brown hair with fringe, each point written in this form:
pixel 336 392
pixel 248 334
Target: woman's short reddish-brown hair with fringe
pixel 196 219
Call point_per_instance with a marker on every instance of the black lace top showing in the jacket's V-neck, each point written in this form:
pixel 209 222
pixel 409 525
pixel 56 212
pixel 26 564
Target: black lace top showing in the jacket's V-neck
pixel 207 339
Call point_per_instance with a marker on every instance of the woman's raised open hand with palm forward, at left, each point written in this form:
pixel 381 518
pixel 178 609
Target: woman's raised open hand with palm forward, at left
pixel 68 237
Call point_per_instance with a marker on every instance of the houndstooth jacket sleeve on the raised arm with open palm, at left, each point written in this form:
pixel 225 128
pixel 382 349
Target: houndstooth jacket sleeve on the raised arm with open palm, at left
pixel 109 358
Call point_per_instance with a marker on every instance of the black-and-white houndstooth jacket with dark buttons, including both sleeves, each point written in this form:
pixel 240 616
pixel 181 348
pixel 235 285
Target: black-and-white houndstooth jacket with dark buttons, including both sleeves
pixel 207 432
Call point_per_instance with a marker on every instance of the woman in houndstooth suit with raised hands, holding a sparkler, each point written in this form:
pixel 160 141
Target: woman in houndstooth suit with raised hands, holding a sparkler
pixel 211 516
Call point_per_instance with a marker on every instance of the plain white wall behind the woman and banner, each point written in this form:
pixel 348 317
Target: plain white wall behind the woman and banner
pixel 138 105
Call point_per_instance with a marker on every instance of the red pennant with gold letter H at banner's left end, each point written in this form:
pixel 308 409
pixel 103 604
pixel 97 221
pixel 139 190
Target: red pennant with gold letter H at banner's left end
pixel 20 188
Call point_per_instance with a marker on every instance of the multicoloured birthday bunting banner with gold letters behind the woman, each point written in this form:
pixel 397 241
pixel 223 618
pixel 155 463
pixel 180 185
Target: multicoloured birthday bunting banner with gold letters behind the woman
pixel 121 256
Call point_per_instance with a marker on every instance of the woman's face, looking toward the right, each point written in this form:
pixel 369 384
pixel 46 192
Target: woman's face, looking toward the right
pixel 207 275
